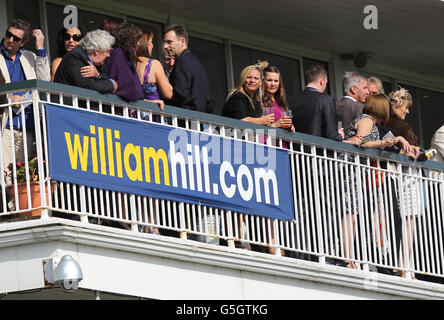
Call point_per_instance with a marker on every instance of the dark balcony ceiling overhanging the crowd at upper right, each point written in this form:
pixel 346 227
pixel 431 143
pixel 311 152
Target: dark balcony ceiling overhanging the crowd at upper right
pixel 409 34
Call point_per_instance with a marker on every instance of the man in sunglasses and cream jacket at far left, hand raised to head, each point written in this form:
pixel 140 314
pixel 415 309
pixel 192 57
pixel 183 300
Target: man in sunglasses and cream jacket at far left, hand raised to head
pixel 18 64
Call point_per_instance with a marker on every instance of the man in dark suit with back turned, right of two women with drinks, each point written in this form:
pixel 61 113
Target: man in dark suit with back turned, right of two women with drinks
pixel 314 112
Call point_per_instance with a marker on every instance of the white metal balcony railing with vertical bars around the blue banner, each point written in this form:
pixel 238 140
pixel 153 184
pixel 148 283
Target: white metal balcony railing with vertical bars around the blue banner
pixel 323 181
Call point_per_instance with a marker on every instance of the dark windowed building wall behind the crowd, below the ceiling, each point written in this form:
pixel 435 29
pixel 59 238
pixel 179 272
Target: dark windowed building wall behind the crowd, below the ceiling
pixel 225 51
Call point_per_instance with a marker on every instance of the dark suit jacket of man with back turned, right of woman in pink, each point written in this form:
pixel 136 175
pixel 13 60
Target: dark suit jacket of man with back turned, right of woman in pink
pixel 315 113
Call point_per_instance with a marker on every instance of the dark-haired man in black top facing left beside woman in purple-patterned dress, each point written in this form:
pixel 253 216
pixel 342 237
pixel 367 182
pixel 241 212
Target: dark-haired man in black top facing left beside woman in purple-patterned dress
pixel 191 89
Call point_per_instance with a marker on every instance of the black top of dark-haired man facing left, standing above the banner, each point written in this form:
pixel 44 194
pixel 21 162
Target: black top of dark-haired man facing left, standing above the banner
pixel 191 89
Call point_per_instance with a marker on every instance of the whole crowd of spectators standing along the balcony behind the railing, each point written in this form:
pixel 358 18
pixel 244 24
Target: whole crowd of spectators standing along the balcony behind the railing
pixel 121 63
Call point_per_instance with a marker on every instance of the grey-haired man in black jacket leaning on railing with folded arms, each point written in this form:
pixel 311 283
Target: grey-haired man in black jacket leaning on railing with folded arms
pixel 93 51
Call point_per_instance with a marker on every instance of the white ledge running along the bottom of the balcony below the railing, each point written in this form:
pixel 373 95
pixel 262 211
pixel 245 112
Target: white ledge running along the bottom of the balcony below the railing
pixel 98 247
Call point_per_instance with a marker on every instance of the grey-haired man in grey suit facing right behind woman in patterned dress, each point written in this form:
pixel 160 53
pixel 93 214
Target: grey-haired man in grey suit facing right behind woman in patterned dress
pixel 356 91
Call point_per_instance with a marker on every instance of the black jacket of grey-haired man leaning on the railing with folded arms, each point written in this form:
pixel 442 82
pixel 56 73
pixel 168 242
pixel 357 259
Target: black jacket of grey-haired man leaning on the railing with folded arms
pixel 68 72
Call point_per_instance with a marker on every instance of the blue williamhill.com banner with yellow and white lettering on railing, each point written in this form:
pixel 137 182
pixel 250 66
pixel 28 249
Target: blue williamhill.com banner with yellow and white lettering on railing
pixel 150 159
